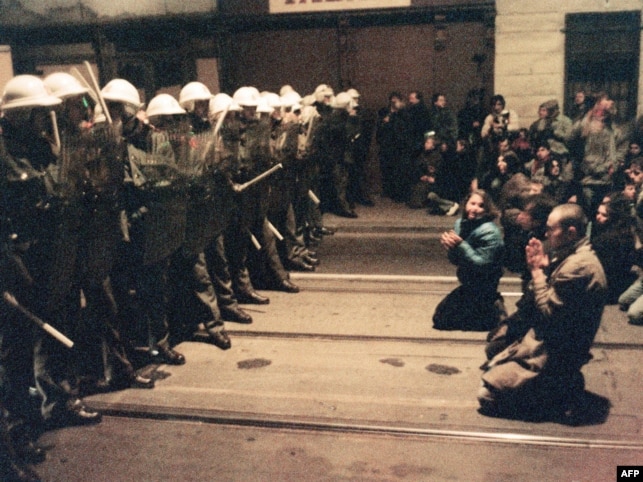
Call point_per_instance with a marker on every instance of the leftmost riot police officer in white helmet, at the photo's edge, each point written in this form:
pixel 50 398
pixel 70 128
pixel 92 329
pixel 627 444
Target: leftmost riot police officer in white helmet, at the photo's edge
pixel 38 233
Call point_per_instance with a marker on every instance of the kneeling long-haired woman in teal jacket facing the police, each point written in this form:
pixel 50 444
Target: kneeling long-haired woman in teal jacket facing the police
pixel 476 247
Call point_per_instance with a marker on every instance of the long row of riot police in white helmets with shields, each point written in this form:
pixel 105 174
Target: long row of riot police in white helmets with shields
pixel 128 228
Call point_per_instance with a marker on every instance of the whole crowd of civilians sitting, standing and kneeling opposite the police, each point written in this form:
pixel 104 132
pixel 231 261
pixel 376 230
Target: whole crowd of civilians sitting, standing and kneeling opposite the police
pixel 558 202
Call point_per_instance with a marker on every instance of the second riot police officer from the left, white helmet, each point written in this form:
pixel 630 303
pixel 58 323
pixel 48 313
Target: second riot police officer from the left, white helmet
pixel 92 154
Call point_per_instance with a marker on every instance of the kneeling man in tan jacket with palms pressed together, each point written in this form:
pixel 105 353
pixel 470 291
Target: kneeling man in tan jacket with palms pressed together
pixel 540 374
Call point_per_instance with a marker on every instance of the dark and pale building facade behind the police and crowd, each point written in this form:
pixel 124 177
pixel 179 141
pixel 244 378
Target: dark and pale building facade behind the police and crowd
pixel 528 51
